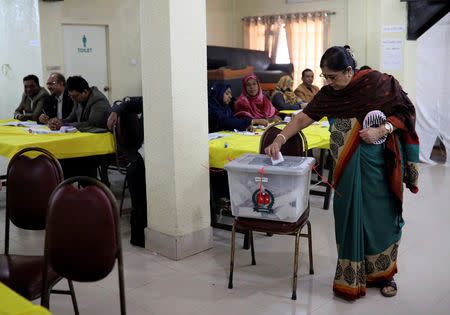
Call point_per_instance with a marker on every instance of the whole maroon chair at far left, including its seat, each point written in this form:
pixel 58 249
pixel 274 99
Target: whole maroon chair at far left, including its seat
pixel 37 177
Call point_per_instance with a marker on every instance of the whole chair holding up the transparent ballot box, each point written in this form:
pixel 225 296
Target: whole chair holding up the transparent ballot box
pixel 295 146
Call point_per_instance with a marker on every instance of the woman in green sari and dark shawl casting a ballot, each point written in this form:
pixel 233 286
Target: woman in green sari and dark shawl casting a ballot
pixel 368 177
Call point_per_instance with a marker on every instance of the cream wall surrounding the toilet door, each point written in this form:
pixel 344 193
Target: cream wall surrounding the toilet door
pixel 122 20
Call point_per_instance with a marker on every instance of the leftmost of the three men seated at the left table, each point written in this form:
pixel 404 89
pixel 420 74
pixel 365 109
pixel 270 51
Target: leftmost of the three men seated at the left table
pixel 33 99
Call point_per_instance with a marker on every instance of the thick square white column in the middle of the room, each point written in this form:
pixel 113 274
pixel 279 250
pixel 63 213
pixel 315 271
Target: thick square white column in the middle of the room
pixel 173 50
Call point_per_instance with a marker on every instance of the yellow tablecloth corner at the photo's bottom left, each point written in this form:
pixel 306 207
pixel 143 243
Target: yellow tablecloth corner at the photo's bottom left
pixel 12 303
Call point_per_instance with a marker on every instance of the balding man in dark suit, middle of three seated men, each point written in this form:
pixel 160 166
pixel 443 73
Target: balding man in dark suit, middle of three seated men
pixel 59 104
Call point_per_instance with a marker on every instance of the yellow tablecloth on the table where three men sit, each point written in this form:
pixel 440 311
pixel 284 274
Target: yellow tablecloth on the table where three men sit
pixel 63 146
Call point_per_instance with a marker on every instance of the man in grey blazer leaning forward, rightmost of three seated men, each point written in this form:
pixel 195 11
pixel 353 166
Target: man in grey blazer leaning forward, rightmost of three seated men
pixel 90 111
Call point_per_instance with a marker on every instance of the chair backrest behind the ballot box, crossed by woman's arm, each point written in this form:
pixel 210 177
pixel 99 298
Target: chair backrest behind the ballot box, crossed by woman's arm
pixel 295 146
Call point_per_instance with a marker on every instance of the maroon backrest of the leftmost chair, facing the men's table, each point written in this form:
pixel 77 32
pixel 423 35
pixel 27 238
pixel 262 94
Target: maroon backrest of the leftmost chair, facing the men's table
pixel 30 183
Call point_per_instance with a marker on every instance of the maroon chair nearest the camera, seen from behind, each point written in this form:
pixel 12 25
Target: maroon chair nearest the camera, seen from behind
pixel 82 239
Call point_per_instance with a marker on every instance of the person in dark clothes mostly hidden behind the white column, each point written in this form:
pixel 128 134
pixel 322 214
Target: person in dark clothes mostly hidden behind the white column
pixel 135 171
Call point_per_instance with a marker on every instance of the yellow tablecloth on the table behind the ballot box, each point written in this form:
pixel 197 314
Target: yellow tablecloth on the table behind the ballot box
pixel 316 136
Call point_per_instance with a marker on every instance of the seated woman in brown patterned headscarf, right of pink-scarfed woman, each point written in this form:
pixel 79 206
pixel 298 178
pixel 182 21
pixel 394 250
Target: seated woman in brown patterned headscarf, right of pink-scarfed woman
pixel 282 96
